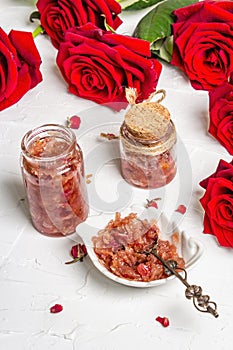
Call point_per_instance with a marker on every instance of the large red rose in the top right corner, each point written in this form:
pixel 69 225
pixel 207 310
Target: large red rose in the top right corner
pixel 203 42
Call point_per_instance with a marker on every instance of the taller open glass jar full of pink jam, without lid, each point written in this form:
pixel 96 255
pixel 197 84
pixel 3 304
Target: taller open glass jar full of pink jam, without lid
pixel 53 173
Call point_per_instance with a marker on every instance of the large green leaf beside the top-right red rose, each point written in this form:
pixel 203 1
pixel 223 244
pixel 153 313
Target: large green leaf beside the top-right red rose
pixel 157 23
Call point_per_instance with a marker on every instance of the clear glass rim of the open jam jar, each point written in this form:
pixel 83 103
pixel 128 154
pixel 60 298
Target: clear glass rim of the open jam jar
pixel 43 129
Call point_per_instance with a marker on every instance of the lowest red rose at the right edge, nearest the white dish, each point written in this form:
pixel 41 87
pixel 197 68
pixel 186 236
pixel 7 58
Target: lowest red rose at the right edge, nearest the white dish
pixel 218 203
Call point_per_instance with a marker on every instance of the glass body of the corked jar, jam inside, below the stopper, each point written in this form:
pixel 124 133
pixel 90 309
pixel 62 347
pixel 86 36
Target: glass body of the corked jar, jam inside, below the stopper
pixel 147 164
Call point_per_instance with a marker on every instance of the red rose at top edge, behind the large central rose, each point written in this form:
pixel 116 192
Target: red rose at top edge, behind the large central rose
pixel 57 16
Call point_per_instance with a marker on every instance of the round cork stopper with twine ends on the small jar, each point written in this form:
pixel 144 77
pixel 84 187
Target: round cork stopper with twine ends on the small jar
pixel 147 120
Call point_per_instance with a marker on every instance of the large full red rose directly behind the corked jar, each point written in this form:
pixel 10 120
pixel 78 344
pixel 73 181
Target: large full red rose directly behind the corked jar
pixel 98 65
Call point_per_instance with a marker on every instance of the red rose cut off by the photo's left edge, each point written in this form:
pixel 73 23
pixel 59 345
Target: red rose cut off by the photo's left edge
pixel 19 66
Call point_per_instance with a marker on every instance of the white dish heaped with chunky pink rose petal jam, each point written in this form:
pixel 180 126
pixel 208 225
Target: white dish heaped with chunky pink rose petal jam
pixel 120 248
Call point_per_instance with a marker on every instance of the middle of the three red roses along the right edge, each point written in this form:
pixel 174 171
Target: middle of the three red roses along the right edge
pixel 221 115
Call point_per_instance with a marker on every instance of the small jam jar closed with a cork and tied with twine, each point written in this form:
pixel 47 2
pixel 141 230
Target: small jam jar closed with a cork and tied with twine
pixel 148 146
